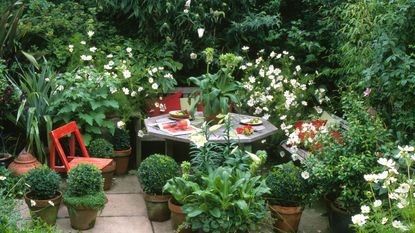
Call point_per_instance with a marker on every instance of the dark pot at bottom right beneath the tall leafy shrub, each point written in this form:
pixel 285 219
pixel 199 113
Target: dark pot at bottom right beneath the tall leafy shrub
pixel 340 220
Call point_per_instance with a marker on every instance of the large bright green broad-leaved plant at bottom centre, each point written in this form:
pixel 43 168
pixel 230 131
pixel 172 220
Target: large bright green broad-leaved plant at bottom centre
pixel 226 200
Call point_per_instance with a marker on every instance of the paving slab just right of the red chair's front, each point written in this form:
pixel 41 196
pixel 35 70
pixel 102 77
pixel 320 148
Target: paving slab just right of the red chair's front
pixel 125 184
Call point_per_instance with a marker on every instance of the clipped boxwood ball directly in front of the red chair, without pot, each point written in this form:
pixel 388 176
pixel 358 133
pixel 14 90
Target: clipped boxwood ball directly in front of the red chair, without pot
pixel 84 179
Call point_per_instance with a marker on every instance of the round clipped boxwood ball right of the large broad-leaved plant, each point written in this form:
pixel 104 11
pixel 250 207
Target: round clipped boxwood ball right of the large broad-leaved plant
pixel 287 186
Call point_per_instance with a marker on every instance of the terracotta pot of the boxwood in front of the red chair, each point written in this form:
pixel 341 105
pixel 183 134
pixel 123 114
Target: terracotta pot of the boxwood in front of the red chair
pixel 82 218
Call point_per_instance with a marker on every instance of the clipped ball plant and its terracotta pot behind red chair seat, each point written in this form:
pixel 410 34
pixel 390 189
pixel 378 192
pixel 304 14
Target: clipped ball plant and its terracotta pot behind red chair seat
pixel 101 148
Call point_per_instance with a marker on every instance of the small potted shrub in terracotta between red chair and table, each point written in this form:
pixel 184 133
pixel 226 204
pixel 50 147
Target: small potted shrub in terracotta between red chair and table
pixel 122 150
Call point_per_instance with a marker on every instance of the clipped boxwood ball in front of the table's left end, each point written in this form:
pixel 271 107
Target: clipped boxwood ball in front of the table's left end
pixel 155 171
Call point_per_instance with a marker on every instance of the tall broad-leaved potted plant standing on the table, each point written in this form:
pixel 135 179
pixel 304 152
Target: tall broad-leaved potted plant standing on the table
pixel 216 92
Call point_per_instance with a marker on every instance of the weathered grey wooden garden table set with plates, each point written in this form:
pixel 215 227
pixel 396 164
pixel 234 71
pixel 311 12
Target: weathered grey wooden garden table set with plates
pixel 261 132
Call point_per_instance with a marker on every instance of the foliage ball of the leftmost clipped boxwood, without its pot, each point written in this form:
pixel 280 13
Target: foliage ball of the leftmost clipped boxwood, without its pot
pixel 43 183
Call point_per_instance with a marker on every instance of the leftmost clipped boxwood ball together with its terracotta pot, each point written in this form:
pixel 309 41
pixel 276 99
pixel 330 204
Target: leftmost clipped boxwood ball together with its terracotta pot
pixel 43 197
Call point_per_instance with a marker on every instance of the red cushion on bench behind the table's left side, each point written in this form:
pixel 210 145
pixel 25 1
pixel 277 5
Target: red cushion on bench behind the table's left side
pixel 169 103
